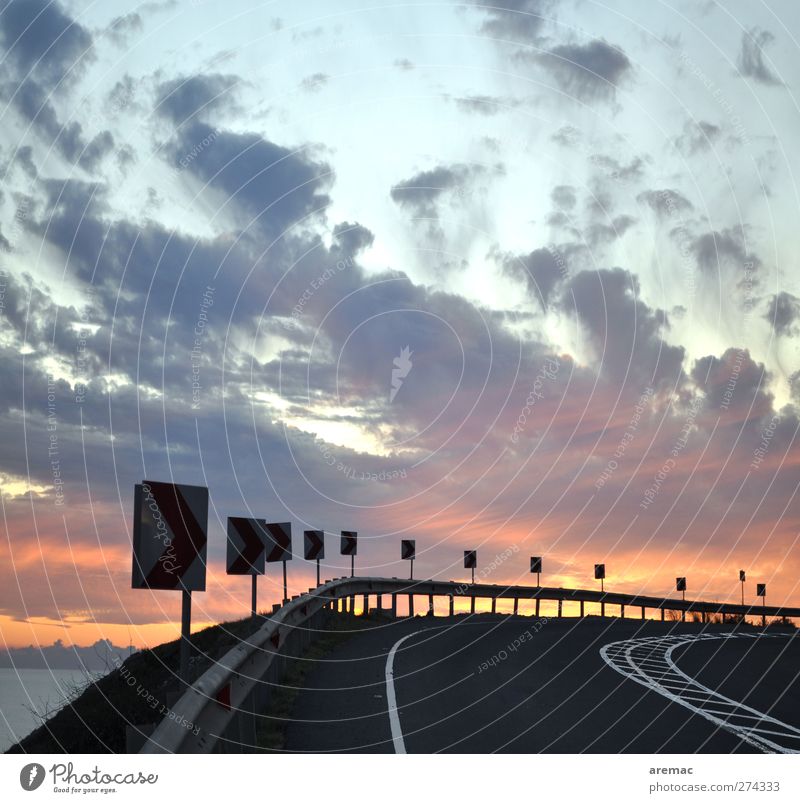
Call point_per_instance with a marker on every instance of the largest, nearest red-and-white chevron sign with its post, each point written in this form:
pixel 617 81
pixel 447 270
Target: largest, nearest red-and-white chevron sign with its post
pixel 170 539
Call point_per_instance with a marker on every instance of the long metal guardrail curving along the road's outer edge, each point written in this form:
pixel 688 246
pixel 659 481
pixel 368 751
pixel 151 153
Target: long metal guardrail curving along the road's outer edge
pixel 222 706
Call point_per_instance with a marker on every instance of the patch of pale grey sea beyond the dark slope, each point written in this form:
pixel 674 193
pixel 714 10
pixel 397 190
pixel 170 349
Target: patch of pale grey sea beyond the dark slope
pixel 39 689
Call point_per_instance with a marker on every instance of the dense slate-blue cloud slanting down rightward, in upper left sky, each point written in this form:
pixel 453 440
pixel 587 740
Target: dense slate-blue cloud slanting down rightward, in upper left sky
pixel 279 186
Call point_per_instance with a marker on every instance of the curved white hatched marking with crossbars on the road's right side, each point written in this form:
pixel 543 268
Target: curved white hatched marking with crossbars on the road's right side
pixel 627 657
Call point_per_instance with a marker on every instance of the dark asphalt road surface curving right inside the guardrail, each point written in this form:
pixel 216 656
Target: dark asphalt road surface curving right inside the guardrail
pixel 486 684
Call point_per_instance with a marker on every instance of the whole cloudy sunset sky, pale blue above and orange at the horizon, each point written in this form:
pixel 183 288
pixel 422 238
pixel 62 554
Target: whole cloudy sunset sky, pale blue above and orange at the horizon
pixel 517 276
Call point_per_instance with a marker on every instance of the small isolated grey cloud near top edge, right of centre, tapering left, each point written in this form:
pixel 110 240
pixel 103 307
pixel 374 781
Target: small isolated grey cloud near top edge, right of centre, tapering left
pixel 589 72
